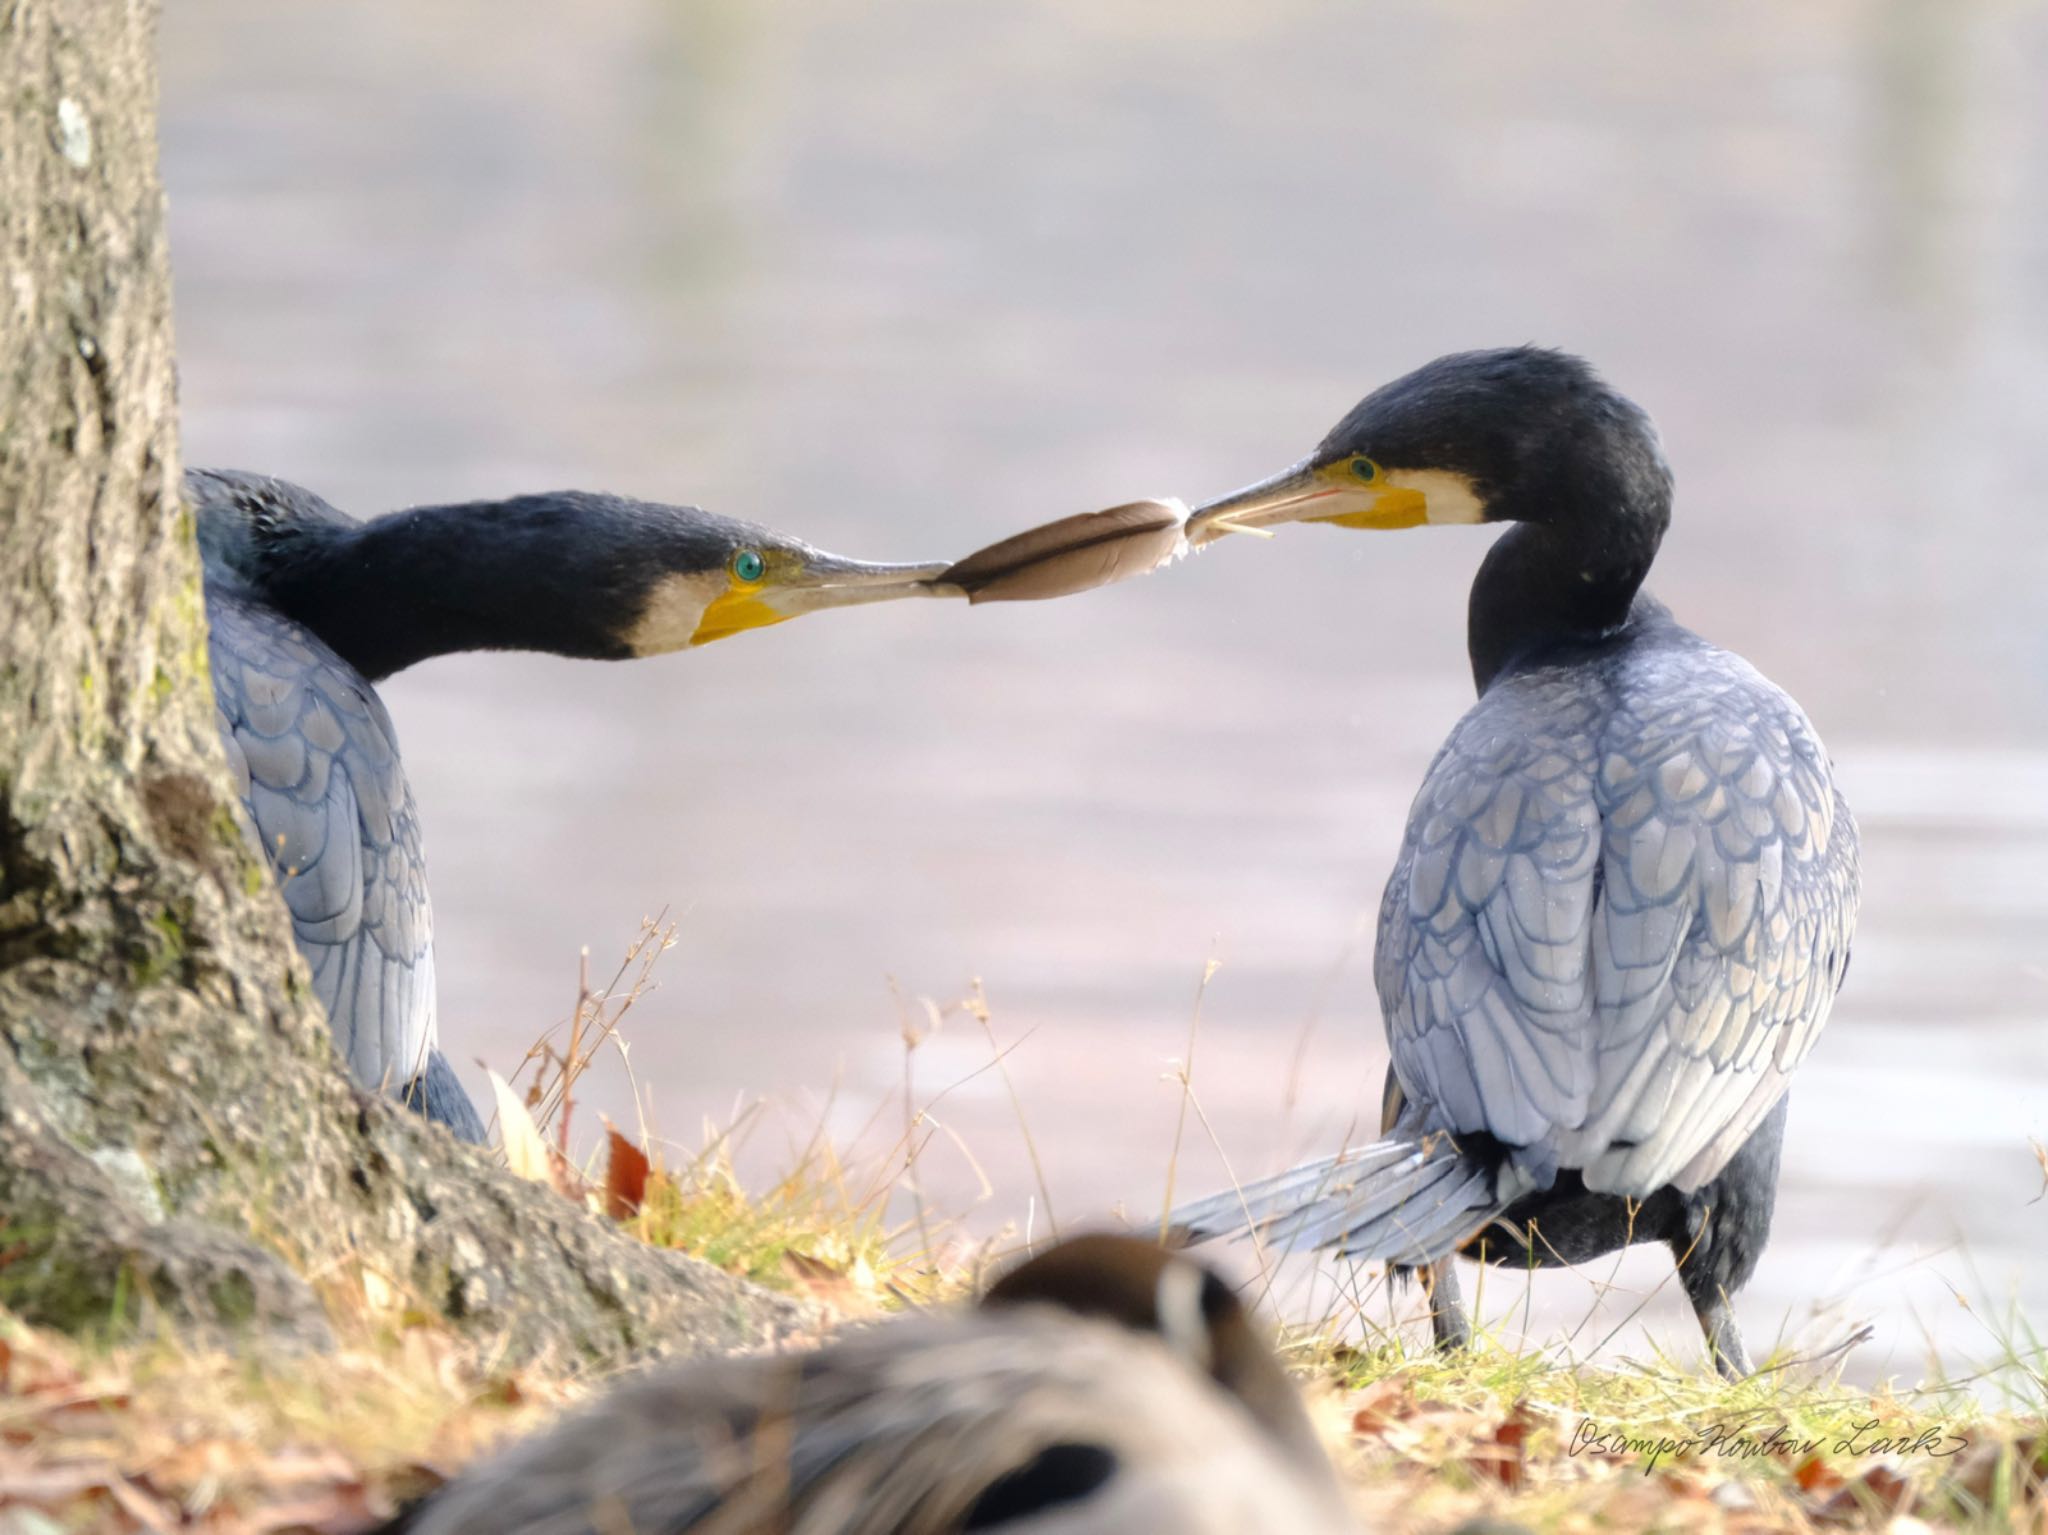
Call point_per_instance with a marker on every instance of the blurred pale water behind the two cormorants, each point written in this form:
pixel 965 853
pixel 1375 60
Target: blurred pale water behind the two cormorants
pixel 908 275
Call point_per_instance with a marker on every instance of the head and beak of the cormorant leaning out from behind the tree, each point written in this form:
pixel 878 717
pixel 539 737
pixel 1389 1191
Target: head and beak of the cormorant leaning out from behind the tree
pixel 720 576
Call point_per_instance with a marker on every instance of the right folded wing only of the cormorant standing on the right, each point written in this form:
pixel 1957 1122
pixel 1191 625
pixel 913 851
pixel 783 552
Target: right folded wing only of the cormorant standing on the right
pixel 1730 891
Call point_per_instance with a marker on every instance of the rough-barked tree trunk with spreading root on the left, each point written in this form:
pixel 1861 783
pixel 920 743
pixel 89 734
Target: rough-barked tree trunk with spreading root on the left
pixel 177 1139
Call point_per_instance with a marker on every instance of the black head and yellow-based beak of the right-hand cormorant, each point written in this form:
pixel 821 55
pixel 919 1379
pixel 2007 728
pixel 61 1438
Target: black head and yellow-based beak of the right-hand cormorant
pixel 1519 435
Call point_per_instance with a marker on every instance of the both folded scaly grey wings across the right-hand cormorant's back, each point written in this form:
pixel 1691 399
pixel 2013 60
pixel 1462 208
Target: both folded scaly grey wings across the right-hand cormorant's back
pixel 1619 918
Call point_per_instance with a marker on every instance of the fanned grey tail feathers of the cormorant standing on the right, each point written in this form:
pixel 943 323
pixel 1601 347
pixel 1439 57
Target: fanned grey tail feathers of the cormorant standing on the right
pixel 1408 1202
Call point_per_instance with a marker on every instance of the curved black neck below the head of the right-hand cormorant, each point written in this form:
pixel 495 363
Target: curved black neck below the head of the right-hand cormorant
pixel 1553 584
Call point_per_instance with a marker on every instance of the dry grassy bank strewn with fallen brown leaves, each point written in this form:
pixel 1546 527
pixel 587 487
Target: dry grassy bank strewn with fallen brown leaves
pixel 169 1440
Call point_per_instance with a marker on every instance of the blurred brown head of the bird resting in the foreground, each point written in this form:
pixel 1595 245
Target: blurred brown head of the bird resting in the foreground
pixel 1187 1305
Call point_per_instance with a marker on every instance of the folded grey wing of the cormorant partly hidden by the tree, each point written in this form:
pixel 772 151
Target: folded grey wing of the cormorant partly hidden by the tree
pixel 318 771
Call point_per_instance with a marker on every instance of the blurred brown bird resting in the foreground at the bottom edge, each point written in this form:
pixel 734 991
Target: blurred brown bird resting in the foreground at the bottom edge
pixel 1103 1387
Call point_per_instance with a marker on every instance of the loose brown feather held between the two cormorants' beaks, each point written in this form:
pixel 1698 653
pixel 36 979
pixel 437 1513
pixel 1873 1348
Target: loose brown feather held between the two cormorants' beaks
pixel 1076 554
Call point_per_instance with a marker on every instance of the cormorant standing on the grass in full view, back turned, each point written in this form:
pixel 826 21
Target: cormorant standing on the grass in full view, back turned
pixel 1627 889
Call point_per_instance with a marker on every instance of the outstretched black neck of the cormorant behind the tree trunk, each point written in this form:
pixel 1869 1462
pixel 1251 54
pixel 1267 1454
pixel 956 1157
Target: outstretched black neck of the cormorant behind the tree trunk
pixel 564 574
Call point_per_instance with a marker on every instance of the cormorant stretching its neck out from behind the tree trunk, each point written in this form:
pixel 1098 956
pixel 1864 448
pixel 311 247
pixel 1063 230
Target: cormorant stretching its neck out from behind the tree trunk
pixel 308 607
